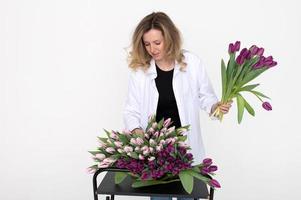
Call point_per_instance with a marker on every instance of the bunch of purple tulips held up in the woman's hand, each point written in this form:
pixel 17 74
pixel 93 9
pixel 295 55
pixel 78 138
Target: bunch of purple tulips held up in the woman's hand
pixel 240 70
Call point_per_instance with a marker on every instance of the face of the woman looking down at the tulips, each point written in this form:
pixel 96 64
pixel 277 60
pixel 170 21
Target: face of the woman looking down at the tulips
pixel 154 44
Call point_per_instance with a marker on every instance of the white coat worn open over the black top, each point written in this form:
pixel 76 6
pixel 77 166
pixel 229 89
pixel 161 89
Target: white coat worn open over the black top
pixel 192 89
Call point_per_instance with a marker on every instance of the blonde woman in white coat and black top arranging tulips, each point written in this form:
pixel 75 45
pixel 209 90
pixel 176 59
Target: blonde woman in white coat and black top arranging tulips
pixel 167 81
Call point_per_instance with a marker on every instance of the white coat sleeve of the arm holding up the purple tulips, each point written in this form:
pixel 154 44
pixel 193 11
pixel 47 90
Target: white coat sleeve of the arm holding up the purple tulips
pixel 206 95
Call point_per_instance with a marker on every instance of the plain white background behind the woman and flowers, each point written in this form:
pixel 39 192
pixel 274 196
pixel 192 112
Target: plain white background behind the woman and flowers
pixel 63 78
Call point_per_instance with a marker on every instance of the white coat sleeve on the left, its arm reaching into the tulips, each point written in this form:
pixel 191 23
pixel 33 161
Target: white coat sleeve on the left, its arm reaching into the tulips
pixel 131 113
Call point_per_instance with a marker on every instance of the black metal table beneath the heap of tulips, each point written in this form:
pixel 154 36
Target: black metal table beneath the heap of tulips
pixel 174 189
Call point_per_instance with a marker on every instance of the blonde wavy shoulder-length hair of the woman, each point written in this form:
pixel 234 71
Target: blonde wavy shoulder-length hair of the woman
pixel 139 57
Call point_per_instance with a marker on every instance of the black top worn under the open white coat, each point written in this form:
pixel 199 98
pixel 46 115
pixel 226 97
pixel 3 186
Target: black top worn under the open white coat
pixel 167 105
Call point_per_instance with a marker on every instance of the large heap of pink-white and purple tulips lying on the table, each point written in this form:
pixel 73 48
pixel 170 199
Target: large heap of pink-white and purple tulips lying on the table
pixel 158 156
